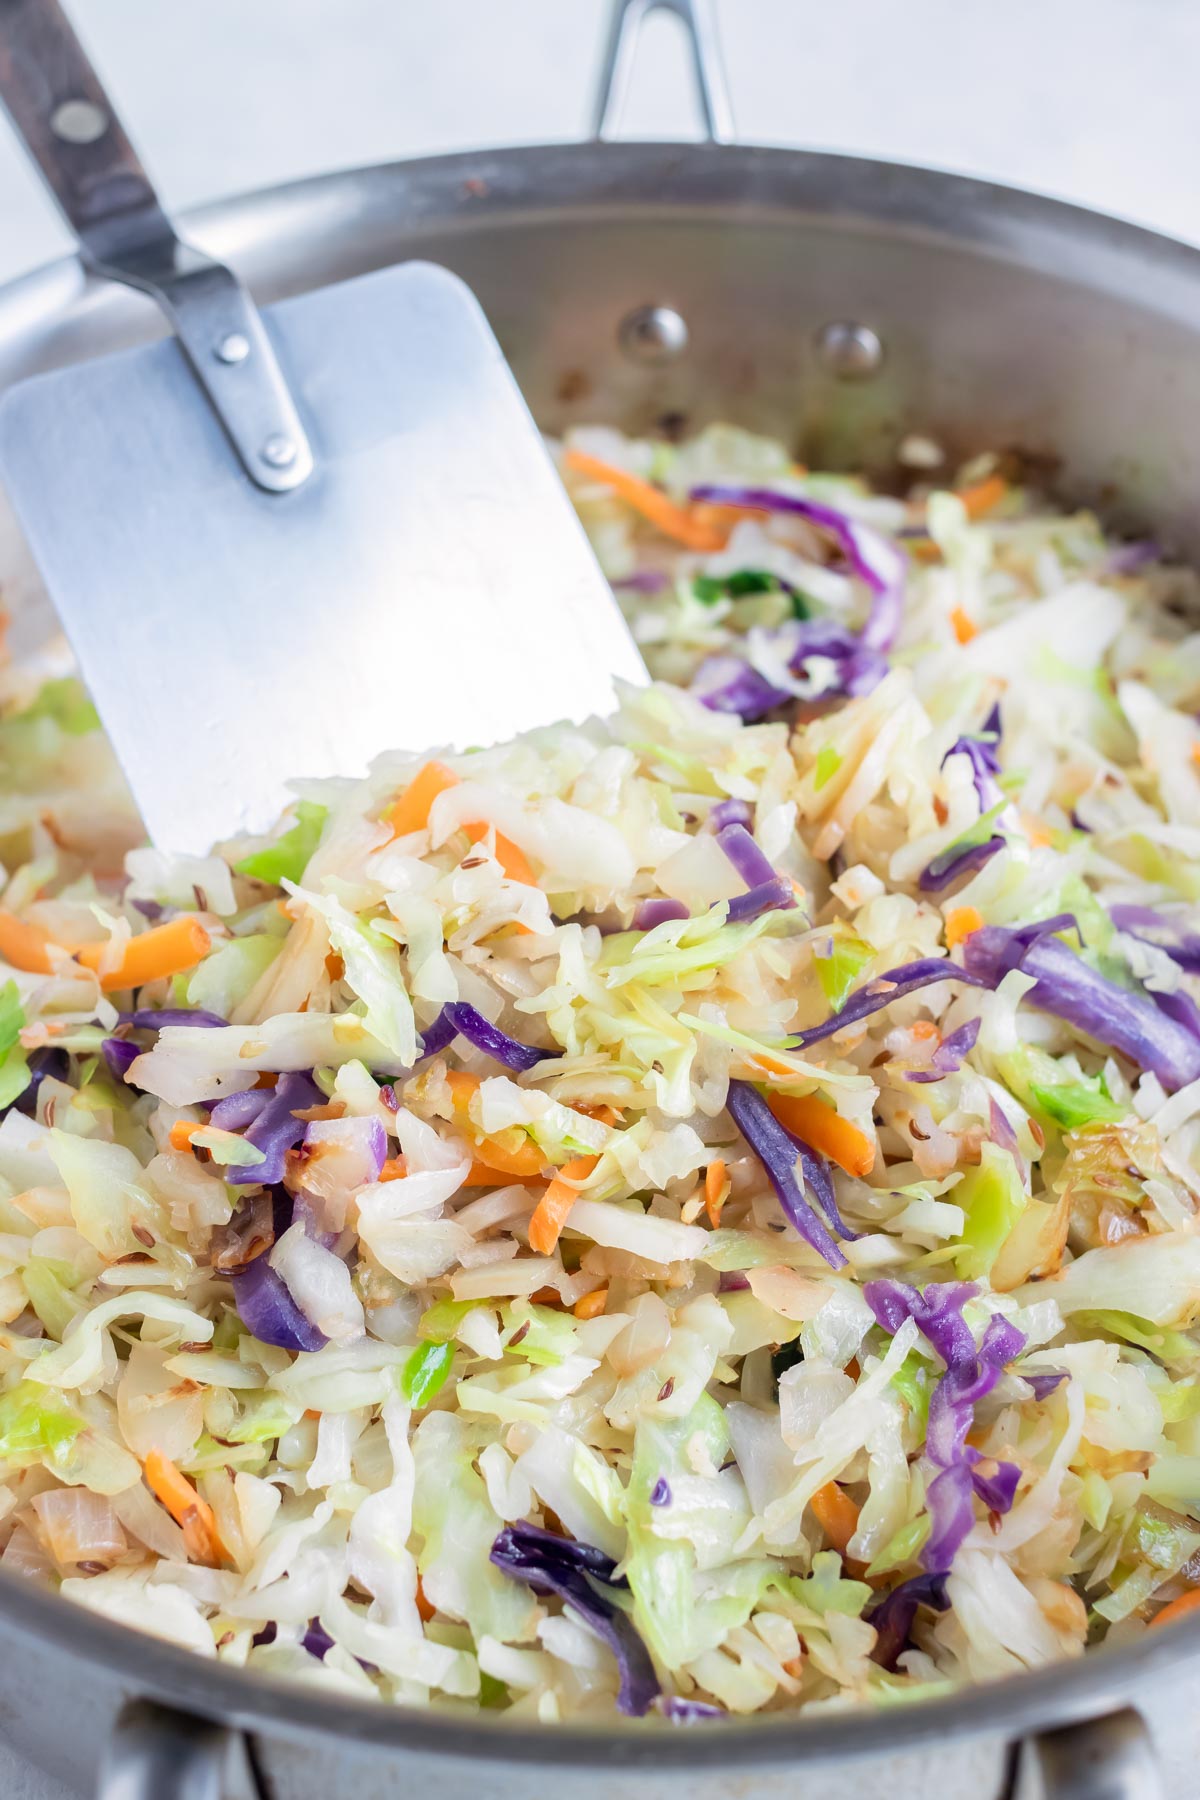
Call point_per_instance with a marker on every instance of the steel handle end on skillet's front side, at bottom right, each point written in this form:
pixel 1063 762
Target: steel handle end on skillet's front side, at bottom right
pixel 1100 1759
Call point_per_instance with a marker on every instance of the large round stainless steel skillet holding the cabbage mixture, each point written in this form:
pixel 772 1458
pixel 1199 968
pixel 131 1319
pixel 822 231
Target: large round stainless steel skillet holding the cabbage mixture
pixel 841 303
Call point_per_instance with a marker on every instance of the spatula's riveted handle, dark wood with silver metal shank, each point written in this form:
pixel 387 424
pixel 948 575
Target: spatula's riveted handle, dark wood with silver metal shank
pixel 71 130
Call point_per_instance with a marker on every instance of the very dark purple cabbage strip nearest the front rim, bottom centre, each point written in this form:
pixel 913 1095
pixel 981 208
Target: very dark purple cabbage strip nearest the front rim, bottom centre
pixel 557 1565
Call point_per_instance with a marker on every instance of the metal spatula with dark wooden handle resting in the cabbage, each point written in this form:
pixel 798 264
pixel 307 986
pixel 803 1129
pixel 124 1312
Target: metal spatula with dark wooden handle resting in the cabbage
pixel 283 543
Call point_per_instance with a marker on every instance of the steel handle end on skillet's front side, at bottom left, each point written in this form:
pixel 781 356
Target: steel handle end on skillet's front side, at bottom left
pixel 157 1754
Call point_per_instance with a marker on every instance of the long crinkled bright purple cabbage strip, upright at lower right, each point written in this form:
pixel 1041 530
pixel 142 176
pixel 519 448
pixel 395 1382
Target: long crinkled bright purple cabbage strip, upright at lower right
pixel 972 1372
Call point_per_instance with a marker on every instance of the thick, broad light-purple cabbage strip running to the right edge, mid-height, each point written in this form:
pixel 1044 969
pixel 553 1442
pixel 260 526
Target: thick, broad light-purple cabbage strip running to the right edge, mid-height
pixel 1158 1032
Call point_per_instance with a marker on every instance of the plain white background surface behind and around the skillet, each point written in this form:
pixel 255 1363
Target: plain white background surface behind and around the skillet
pixel 1089 100
